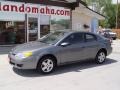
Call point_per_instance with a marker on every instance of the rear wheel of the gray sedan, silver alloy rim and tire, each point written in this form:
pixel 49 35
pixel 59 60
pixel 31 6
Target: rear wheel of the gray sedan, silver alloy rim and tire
pixel 100 57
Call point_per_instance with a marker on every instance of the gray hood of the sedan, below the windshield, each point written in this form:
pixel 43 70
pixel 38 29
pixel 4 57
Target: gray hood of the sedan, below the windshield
pixel 31 46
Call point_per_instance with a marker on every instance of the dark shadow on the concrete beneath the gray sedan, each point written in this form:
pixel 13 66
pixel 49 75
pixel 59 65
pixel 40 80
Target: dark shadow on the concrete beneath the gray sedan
pixel 76 67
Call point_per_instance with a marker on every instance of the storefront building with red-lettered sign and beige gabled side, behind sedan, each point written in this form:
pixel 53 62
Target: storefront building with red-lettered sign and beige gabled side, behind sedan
pixel 27 20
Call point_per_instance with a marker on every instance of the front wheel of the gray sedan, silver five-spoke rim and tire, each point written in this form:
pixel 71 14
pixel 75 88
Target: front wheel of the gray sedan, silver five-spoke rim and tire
pixel 46 65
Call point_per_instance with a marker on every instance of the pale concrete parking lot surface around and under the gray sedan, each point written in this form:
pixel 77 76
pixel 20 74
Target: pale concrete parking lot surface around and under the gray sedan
pixel 80 76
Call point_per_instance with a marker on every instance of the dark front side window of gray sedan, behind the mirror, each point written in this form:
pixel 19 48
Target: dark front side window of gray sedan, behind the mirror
pixel 74 38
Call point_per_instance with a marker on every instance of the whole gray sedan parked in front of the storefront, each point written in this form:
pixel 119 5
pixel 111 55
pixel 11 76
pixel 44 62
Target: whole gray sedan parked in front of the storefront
pixel 58 48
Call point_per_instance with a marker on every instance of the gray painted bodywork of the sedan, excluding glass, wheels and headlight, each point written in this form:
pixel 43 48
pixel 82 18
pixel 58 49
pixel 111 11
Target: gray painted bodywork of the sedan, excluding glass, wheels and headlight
pixel 68 54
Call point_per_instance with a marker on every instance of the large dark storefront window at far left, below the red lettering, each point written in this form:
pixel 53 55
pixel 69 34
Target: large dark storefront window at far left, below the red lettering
pixel 12 32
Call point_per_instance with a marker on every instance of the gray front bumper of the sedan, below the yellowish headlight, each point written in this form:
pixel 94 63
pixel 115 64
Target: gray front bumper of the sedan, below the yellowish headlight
pixel 27 63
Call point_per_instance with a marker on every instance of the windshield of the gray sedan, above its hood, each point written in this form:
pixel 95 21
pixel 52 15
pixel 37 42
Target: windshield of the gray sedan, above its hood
pixel 52 38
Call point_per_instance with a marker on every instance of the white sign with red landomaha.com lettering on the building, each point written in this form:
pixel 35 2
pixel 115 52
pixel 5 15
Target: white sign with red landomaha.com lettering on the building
pixel 32 8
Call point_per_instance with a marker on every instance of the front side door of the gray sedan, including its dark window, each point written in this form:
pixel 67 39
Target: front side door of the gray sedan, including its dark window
pixel 74 50
